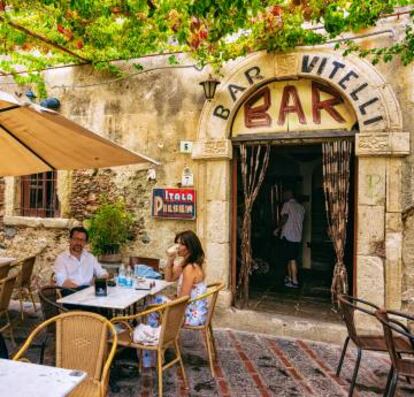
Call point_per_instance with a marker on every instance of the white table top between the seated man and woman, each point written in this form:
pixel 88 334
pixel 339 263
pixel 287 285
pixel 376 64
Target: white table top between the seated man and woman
pixel 119 298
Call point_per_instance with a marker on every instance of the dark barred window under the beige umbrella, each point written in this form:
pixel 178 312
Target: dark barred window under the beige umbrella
pixel 39 196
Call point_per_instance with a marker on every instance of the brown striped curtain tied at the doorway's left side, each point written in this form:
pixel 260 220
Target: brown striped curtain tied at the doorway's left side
pixel 254 162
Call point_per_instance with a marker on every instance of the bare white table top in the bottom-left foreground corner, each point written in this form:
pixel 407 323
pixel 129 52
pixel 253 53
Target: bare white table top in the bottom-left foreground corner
pixel 21 379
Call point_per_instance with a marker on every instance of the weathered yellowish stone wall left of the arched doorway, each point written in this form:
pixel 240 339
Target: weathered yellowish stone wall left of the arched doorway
pixel 149 114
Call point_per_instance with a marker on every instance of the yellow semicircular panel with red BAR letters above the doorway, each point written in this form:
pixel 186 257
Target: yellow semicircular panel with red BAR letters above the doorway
pixel 296 105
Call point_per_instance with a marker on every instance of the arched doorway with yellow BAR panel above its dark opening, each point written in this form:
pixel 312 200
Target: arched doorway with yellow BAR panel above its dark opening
pixel 294 117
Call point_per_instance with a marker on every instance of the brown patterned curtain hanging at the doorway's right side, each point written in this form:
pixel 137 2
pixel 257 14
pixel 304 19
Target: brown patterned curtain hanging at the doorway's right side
pixel 336 173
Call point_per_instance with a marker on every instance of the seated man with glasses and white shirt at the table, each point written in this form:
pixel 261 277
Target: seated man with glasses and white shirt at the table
pixel 77 267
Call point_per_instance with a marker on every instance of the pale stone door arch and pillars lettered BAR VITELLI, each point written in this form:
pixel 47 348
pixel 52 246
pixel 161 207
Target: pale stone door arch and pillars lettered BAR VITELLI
pixel 379 147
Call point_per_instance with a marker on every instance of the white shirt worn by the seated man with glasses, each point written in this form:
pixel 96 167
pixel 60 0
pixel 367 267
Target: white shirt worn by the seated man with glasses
pixel 81 271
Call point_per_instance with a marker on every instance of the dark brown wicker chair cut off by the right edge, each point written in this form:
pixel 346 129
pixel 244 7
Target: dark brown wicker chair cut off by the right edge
pixel 399 365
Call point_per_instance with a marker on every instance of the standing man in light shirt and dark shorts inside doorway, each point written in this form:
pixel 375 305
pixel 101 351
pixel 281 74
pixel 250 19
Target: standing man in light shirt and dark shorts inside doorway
pixel 290 229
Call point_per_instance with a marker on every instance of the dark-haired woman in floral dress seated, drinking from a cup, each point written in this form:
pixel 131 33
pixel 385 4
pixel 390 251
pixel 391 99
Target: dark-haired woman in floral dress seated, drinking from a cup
pixel 190 275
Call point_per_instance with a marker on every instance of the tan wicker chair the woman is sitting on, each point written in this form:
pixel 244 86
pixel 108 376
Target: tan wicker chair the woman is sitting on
pixel 207 328
